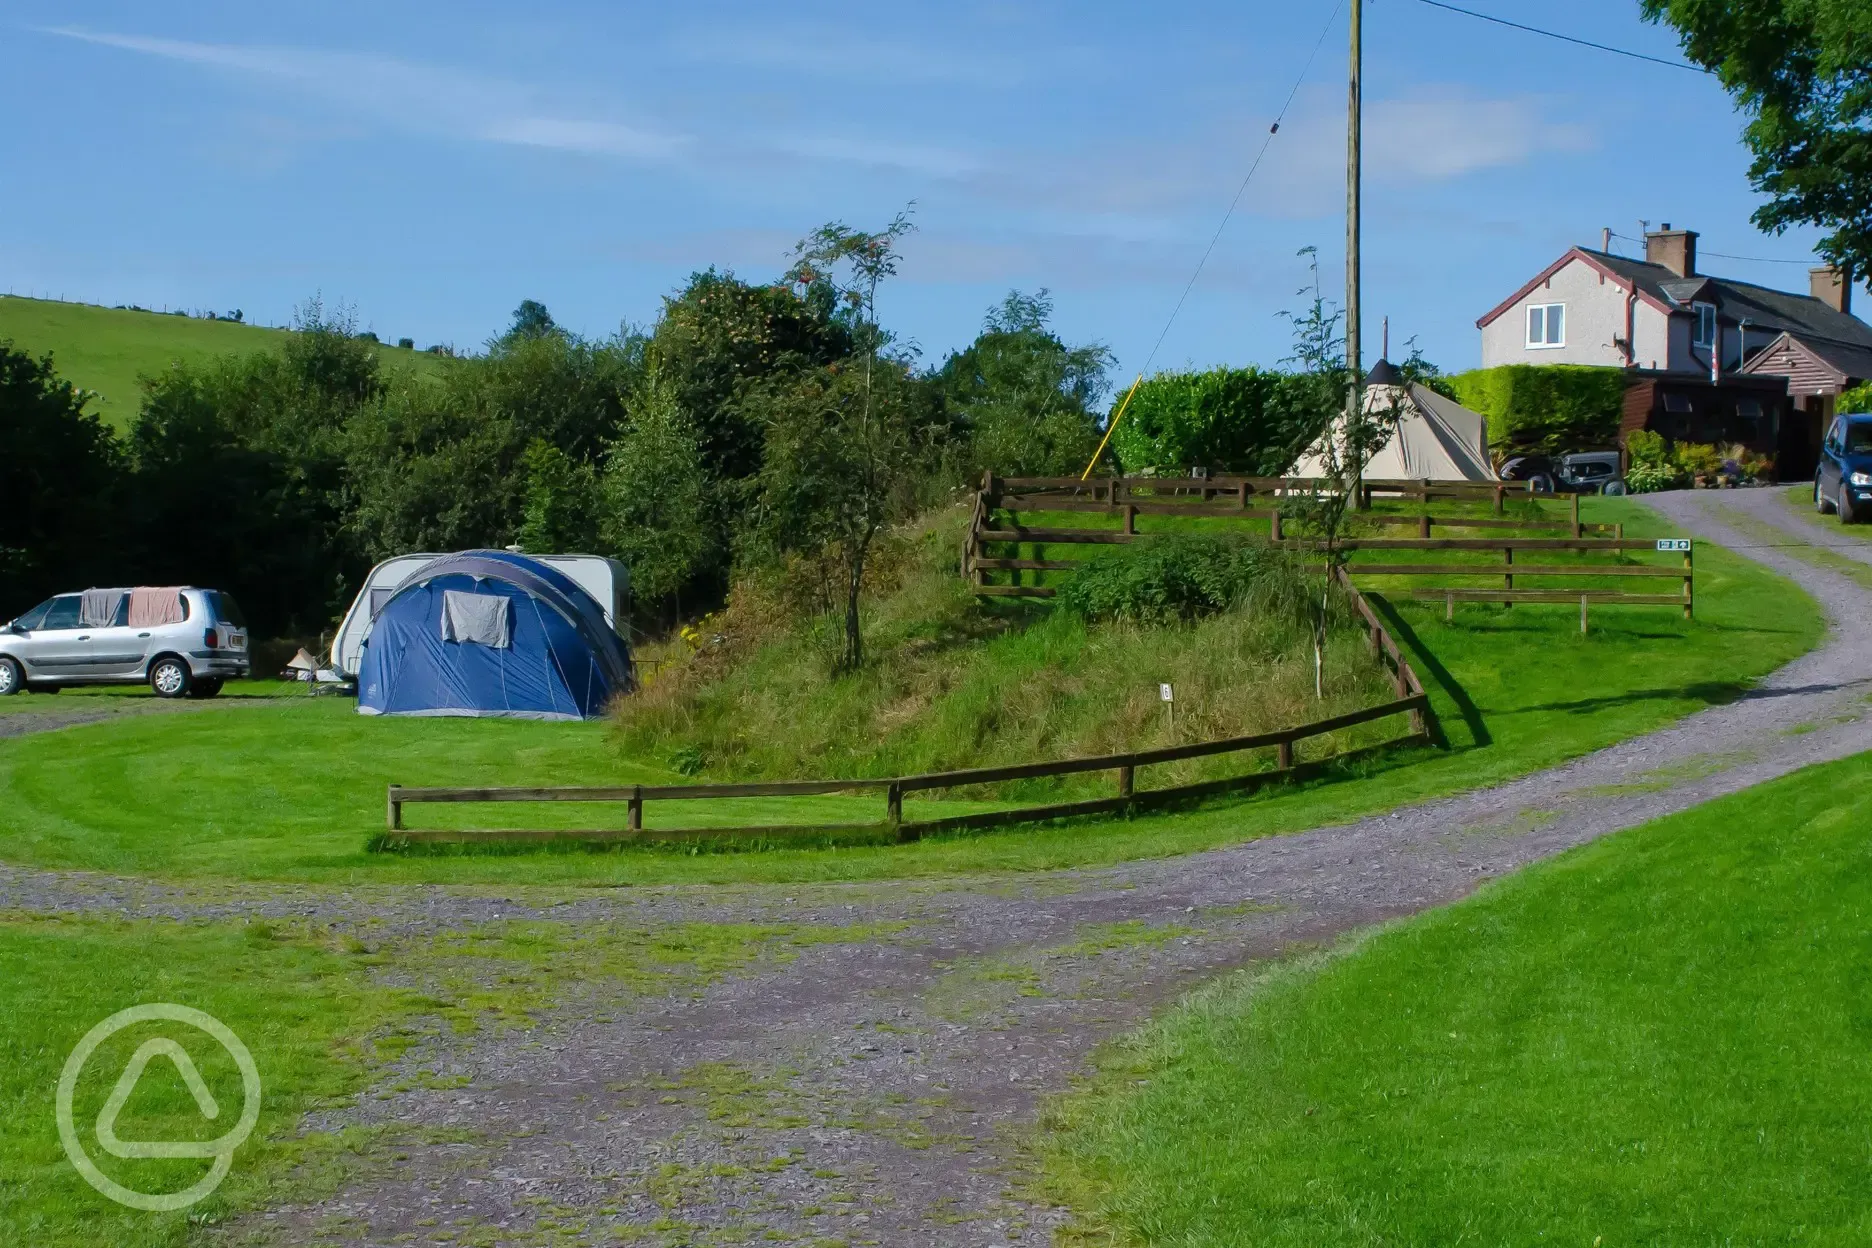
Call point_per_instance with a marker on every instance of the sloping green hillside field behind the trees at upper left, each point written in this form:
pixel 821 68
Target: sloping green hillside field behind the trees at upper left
pixel 108 349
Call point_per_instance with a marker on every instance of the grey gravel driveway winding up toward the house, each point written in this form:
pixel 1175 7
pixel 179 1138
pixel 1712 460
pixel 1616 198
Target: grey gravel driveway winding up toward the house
pixel 879 1090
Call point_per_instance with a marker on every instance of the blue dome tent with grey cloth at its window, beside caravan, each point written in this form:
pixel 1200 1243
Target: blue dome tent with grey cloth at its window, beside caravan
pixel 491 633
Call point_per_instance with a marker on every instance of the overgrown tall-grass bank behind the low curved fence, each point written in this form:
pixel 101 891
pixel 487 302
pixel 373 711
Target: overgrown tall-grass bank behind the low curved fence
pixel 954 684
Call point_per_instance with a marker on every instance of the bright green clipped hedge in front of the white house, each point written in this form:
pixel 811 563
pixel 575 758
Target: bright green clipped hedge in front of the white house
pixel 1547 409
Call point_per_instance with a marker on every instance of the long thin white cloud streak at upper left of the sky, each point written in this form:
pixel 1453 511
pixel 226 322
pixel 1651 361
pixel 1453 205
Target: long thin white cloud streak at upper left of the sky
pixel 411 96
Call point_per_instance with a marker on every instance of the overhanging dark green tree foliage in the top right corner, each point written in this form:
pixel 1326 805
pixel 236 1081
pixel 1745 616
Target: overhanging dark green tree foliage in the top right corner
pixel 1802 70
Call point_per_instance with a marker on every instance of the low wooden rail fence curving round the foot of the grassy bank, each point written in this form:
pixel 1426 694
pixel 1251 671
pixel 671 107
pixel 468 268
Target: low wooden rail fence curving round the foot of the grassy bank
pixel 1411 701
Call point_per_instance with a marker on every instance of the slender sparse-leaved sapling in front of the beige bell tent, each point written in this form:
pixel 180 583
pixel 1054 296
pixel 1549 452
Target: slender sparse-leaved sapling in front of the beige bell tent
pixel 1354 429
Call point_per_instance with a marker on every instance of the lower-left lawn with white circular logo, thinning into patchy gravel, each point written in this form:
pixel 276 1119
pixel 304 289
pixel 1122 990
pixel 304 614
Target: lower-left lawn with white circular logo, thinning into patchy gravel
pixel 319 1023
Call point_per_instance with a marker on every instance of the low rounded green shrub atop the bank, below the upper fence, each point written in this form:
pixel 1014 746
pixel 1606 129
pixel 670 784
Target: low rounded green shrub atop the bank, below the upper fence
pixel 1186 577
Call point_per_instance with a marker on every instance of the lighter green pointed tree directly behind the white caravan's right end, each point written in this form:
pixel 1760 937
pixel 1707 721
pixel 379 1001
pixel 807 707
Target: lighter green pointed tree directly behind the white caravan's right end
pixel 654 499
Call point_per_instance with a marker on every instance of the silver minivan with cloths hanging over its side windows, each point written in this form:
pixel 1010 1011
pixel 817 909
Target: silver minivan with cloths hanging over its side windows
pixel 186 643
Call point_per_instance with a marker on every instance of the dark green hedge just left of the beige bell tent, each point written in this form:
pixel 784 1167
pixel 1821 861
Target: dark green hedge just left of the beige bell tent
pixel 1229 420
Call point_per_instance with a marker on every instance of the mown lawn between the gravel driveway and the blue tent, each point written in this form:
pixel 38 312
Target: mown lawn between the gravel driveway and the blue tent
pixel 293 791
